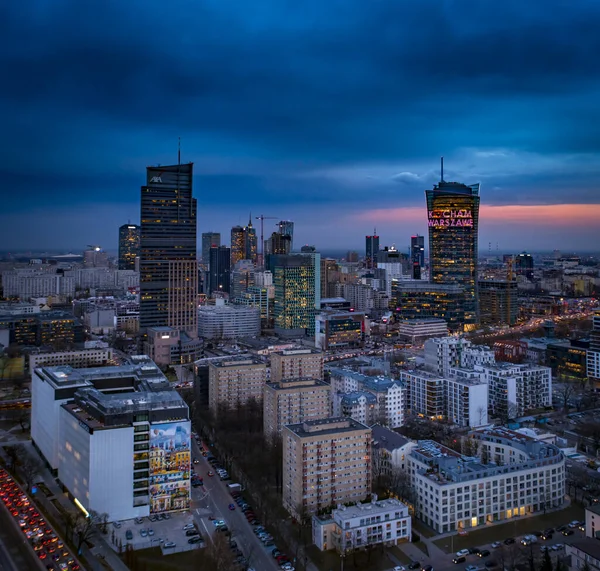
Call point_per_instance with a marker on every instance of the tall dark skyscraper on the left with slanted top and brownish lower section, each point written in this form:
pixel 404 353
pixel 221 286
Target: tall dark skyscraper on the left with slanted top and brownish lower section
pixel 168 251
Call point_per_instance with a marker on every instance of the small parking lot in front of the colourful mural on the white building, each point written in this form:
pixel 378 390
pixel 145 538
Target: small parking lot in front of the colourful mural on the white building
pixel 159 533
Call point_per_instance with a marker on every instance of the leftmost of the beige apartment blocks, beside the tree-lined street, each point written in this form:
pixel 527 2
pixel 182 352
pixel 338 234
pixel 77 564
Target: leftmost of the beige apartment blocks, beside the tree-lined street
pixel 235 381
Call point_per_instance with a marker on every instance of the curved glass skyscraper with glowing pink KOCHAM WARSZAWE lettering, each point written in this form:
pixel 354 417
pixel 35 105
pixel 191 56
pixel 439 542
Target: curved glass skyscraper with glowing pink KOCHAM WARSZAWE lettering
pixel 453 217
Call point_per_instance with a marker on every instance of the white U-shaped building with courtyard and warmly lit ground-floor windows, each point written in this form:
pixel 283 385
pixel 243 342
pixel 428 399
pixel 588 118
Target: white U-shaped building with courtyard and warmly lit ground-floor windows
pixel 515 476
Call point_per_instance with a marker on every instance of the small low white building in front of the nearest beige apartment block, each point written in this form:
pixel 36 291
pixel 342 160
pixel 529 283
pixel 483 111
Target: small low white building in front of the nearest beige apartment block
pixel 384 522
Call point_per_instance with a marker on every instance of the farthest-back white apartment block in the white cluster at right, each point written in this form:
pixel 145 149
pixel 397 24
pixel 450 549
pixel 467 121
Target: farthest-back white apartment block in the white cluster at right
pixel 443 353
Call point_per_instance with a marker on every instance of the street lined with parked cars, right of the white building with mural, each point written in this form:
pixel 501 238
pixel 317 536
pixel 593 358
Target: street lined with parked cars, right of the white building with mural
pixel 213 499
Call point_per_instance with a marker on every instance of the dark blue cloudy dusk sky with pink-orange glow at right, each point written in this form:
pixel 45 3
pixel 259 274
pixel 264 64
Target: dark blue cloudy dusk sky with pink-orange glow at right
pixel 331 113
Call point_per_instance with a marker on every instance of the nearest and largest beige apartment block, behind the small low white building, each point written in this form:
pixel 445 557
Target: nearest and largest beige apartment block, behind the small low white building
pixel 325 462
